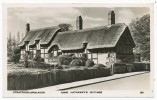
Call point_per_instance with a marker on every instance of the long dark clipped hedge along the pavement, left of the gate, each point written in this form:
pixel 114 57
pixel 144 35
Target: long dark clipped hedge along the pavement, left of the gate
pixel 25 81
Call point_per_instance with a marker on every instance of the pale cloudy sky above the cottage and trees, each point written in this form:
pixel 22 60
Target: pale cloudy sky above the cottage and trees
pixel 40 17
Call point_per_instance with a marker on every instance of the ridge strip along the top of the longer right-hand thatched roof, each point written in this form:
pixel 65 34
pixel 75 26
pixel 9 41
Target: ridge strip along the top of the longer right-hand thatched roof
pixel 93 28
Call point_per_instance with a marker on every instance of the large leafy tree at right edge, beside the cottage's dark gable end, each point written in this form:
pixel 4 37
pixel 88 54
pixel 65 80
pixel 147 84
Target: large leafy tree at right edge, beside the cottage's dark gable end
pixel 140 29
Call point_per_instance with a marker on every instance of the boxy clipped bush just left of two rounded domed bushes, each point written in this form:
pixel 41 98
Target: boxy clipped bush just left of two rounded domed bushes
pixel 64 60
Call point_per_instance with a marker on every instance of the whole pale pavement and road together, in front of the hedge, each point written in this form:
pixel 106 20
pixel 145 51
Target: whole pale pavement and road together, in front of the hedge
pixel 117 81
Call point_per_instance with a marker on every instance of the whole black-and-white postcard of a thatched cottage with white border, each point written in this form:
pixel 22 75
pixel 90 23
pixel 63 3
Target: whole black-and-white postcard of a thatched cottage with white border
pixel 78 50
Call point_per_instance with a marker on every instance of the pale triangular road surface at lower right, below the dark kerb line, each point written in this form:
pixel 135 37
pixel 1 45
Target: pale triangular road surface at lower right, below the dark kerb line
pixel 137 82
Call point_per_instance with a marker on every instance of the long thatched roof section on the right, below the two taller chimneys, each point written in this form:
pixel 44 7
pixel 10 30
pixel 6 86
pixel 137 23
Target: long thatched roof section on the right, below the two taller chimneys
pixel 99 37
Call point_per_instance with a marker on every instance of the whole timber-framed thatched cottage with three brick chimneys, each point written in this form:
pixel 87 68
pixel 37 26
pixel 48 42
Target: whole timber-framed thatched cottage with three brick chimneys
pixel 104 44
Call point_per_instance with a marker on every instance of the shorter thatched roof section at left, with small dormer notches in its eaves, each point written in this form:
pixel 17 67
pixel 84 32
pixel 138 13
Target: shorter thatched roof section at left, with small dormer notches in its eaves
pixel 42 34
